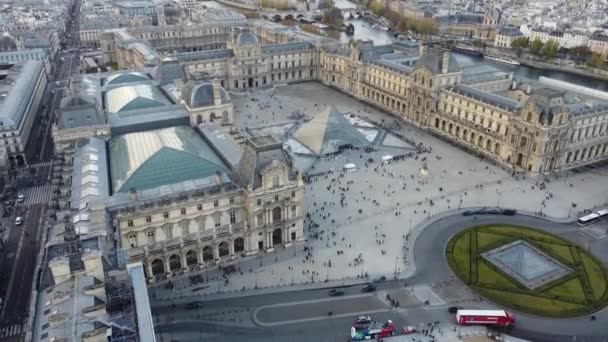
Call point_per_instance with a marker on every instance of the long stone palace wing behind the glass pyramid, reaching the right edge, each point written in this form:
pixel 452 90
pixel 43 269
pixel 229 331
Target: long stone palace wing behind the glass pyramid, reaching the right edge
pixel 523 129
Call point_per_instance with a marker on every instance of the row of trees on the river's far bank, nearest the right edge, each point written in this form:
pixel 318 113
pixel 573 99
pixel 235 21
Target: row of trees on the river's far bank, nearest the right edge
pixel 550 49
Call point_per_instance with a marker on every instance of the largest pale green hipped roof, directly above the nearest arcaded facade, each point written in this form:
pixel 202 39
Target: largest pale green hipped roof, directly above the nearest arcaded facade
pixel 145 160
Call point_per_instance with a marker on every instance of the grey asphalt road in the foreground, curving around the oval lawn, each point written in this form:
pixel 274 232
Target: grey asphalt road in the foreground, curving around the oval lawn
pixel 286 315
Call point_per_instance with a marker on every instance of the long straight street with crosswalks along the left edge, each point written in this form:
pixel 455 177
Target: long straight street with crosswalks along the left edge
pixel 24 242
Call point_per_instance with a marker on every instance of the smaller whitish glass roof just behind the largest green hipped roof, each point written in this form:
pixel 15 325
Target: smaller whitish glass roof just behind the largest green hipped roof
pixel 134 97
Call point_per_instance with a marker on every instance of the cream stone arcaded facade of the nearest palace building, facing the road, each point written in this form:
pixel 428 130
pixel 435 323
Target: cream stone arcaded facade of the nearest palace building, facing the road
pixel 204 229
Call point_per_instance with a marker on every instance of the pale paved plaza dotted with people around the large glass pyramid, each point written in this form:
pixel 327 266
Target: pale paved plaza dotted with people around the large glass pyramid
pixel 358 223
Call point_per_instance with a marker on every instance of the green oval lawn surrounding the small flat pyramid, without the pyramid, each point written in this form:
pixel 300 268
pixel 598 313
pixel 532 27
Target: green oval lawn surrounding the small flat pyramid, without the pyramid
pixel 565 298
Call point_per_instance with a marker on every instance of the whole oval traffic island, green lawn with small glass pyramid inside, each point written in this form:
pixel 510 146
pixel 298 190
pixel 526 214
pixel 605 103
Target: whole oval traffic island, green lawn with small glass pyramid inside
pixel 528 270
